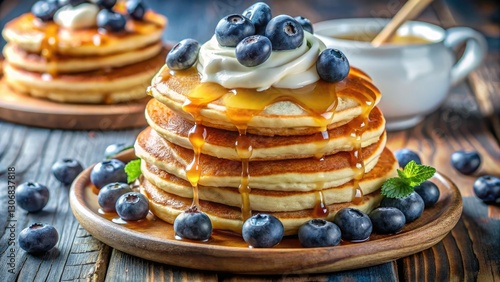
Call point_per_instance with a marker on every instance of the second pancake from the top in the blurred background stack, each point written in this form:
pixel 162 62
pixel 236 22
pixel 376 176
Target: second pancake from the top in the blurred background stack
pixel 65 64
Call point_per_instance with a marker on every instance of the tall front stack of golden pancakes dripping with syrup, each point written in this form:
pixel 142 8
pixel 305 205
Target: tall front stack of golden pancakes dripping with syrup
pixel 295 154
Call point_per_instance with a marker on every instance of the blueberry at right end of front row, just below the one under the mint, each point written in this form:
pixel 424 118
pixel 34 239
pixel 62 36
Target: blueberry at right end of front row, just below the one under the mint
pixel 387 220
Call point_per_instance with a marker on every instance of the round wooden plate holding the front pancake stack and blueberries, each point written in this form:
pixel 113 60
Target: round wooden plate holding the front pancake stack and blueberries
pixel 154 239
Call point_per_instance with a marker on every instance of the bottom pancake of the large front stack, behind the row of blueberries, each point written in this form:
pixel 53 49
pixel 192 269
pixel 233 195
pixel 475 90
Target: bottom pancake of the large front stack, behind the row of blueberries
pixel 167 206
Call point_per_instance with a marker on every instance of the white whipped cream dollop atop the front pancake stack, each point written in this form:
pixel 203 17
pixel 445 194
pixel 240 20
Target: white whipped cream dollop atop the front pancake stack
pixel 283 69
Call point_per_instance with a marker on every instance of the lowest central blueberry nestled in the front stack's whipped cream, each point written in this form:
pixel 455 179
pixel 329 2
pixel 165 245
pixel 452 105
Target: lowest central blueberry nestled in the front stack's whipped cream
pixel 253 50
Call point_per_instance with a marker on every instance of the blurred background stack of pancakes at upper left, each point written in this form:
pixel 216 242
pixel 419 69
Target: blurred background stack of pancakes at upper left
pixel 88 65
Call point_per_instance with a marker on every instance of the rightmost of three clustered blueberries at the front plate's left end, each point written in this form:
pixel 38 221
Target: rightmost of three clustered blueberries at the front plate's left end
pixel 132 206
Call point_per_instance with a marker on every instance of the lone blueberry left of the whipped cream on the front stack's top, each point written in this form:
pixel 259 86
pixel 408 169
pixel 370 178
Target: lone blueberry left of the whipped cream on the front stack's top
pixel 183 55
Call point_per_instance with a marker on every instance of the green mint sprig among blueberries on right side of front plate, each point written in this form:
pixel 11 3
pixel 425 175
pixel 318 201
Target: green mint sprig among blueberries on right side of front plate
pixel 412 175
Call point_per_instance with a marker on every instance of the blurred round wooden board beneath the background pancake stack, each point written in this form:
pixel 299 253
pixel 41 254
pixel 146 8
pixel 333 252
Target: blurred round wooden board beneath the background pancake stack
pixel 27 110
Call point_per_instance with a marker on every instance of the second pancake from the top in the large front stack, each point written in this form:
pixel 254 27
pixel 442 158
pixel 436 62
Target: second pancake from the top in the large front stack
pixel 220 143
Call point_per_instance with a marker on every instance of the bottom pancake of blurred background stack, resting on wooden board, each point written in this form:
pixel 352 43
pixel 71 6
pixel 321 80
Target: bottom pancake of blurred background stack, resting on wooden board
pixel 101 86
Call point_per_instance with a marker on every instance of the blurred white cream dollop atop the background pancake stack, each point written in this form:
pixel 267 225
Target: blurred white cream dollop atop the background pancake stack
pixel 78 17
